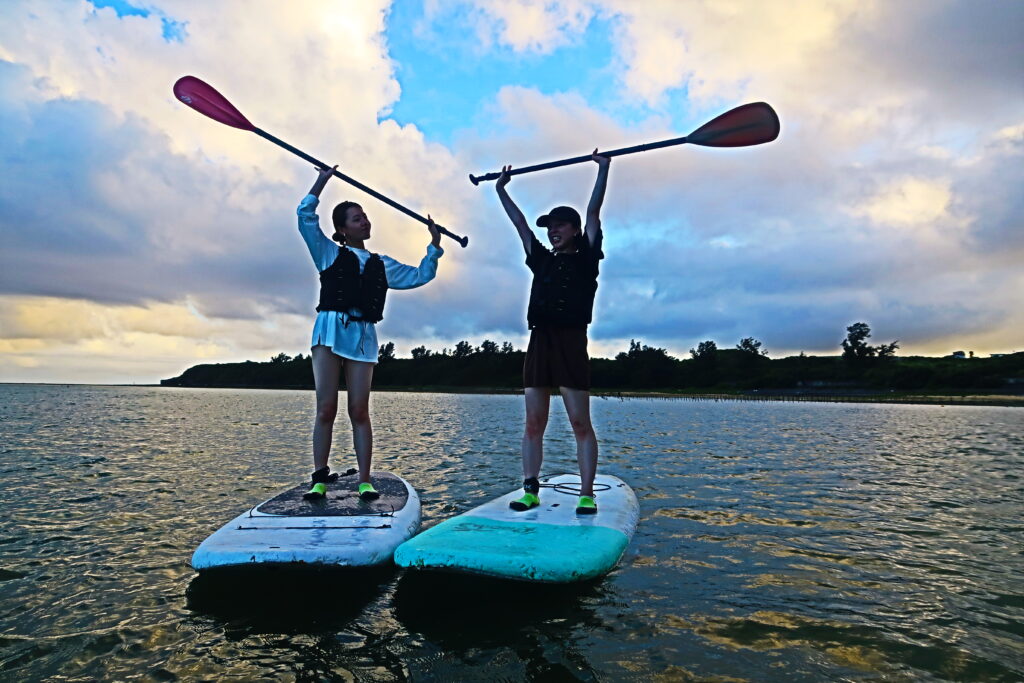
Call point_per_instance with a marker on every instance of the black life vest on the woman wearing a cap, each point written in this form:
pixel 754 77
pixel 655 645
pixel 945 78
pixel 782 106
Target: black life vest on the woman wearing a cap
pixel 565 285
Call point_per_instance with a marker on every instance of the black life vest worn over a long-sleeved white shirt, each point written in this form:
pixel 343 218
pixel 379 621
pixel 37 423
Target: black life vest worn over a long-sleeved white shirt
pixel 344 288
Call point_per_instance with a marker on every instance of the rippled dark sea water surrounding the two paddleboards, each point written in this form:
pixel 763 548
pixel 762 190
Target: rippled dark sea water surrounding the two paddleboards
pixel 787 542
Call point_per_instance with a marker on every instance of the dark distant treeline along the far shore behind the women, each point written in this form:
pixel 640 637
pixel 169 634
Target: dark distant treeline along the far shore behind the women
pixel 491 366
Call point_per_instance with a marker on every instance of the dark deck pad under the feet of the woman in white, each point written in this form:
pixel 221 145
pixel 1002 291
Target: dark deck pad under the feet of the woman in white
pixel 343 499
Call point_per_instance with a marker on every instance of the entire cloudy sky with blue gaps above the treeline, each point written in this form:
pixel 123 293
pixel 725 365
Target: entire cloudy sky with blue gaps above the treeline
pixel 139 238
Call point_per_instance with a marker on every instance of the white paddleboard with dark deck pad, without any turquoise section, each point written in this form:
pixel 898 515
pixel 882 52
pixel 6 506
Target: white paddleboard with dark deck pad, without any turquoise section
pixel 340 531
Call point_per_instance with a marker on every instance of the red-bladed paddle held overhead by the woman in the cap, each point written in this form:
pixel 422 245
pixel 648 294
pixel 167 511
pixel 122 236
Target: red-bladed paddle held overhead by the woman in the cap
pixel 747 125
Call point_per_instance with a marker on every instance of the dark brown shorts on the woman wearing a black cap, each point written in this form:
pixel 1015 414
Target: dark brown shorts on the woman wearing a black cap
pixel 558 358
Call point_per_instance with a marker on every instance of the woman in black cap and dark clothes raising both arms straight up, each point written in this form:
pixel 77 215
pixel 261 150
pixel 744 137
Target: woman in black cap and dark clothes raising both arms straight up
pixel 562 302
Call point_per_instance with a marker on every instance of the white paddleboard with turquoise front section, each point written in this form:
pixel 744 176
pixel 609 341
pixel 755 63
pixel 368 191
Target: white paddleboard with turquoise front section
pixel 550 543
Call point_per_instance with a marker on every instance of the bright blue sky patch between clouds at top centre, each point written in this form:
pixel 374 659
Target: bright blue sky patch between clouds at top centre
pixel 449 79
